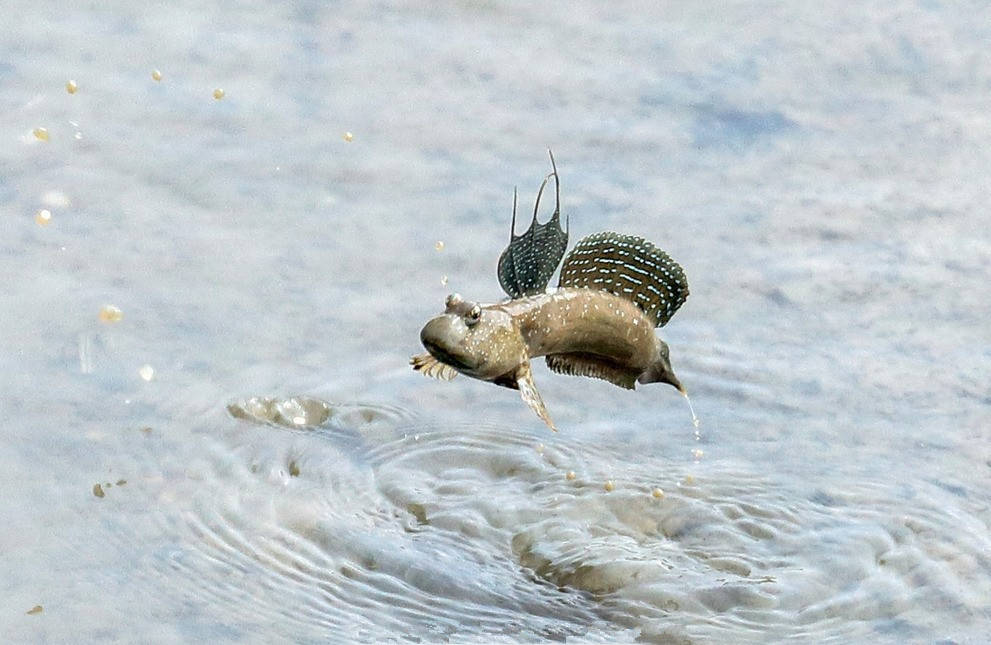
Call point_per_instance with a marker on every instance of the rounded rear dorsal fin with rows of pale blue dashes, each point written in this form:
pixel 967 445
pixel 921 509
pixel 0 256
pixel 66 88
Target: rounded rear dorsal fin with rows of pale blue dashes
pixel 629 267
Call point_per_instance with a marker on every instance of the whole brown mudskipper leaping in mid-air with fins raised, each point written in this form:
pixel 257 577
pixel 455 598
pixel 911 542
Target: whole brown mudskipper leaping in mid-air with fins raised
pixel 613 291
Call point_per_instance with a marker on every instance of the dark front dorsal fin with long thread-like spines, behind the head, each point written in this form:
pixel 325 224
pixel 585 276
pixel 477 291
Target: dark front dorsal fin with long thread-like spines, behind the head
pixel 529 262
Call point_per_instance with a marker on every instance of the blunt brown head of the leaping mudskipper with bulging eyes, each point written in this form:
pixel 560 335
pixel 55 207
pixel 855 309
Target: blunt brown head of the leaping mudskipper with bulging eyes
pixel 479 341
